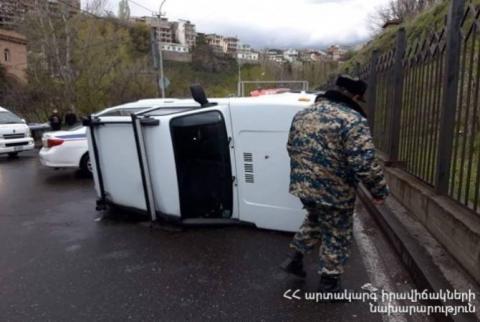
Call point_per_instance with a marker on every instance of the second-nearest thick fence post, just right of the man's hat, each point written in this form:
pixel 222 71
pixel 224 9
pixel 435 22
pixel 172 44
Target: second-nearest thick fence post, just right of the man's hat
pixel 396 107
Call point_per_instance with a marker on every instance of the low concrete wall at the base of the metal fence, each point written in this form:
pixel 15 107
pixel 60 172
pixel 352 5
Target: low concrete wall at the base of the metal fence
pixel 455 227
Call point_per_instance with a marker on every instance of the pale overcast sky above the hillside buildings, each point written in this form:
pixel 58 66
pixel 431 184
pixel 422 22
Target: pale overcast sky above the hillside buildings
pixel 271 23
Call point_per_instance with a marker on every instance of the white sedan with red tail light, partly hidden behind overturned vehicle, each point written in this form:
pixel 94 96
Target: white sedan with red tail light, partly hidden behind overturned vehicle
pixel 69 149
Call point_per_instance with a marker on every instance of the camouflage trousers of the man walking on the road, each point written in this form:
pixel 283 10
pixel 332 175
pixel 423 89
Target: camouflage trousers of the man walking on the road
pixel 333 229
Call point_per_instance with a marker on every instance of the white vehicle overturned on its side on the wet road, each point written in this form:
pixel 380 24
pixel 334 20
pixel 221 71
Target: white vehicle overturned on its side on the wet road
pixel 195 161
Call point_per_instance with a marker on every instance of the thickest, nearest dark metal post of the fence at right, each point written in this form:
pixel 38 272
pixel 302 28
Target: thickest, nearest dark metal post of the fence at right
pixel 450 93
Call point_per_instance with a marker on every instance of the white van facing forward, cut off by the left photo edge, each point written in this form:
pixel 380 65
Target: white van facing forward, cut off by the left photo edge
pixel 15 135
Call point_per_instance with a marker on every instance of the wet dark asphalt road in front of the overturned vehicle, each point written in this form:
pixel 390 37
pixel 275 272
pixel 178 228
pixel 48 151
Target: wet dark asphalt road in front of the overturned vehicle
pixel 57 263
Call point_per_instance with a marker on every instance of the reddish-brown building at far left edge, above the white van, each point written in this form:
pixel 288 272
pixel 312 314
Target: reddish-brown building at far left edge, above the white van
pixel 13 54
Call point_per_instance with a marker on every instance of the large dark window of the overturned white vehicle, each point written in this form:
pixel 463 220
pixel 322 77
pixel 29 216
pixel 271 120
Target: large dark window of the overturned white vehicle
pixel 204 173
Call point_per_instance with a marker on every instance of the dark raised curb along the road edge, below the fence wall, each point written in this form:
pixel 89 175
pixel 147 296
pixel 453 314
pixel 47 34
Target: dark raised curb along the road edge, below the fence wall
pixel 419 263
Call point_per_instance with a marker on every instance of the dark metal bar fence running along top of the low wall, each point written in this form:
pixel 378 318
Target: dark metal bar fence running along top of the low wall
pixel 423 104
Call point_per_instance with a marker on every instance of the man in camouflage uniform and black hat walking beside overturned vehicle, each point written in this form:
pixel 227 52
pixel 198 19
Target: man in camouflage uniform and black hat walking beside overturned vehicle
pixel 331 151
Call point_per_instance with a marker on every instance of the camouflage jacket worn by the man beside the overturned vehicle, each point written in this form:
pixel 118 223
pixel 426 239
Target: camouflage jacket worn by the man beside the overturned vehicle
pixel 331 150
